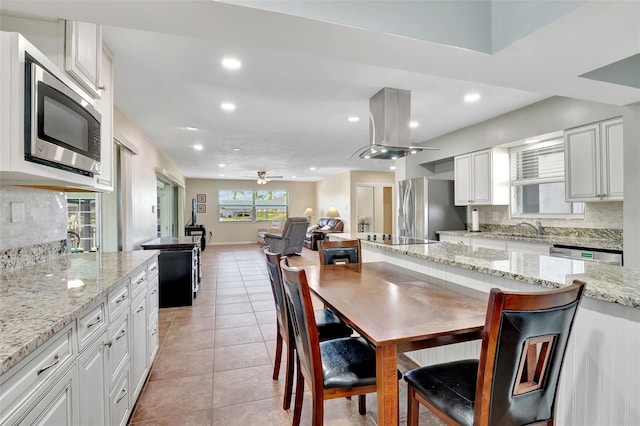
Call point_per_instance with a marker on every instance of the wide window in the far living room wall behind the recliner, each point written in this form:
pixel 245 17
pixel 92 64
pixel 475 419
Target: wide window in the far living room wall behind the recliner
pixel 251 206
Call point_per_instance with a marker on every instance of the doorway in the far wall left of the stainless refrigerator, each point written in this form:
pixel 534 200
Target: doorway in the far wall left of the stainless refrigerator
pixel 374 208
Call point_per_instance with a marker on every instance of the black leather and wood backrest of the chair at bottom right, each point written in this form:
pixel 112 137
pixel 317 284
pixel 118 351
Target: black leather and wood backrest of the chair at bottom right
pixel 523 346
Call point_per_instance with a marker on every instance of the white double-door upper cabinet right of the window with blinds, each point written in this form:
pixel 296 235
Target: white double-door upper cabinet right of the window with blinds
pixel 594 162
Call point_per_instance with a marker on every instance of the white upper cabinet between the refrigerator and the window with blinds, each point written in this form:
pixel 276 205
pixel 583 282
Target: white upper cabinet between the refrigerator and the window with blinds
pixel 482 178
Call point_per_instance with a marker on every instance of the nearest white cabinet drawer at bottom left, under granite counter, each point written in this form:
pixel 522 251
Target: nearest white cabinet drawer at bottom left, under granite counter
pixel 31 374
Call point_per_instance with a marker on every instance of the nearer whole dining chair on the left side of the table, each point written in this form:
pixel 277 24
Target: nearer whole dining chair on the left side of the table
pixel 334 368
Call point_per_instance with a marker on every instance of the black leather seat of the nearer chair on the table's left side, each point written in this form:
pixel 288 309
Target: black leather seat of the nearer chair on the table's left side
pixel 348 362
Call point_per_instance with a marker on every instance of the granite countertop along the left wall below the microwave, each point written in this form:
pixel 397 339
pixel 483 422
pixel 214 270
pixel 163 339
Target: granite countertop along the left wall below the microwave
pixel 38 301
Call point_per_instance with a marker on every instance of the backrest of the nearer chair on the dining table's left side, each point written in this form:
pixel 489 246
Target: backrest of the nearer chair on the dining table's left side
pixel 303 324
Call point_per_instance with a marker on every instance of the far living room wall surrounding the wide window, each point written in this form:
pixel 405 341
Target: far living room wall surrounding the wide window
pixel 301 196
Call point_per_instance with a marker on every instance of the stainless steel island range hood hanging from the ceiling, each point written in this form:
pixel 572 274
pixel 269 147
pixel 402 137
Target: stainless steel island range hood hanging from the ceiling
pixel 389 116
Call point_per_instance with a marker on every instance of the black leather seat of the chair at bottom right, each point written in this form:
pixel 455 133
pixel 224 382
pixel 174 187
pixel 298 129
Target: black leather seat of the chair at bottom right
pixel 451 387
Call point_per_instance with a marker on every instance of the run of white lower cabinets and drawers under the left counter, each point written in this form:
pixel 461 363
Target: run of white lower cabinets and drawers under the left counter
pixel 93 370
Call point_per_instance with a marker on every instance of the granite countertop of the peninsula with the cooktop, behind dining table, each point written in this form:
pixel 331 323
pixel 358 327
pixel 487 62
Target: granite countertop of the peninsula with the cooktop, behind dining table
pixel 611 283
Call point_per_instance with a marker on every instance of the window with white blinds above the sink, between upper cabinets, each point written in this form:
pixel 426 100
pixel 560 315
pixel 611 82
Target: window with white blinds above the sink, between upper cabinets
pixel 537 182
